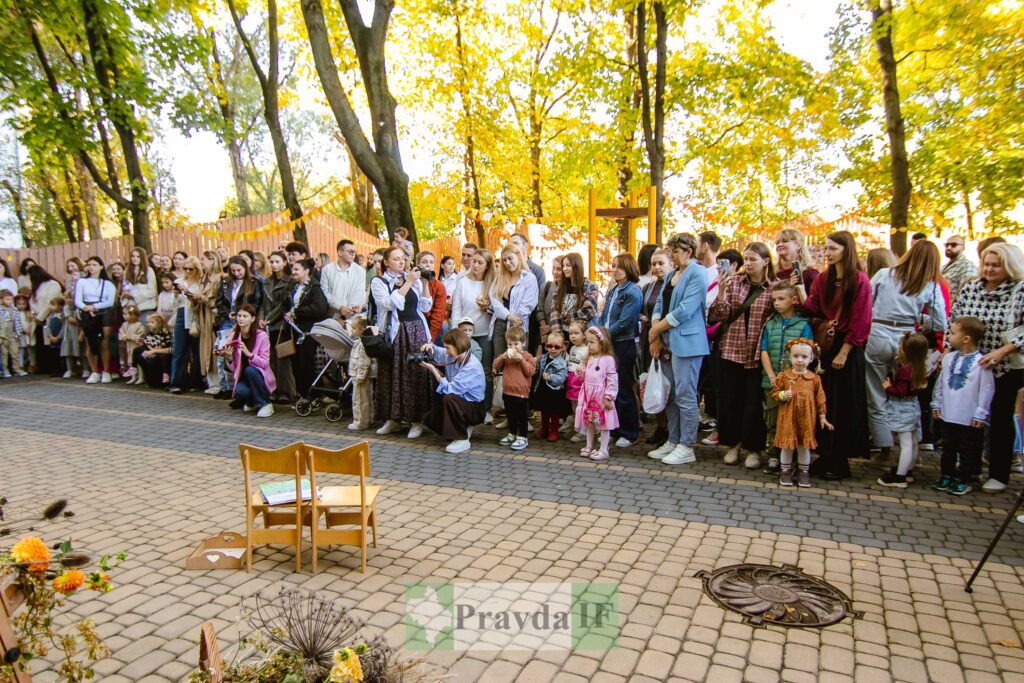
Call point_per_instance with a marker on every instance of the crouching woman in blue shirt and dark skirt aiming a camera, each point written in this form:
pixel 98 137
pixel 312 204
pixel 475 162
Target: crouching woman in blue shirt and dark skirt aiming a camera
pixel 461 388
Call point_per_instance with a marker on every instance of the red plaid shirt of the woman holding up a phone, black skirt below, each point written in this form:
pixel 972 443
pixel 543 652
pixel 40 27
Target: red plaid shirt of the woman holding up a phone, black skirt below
pixel 742 341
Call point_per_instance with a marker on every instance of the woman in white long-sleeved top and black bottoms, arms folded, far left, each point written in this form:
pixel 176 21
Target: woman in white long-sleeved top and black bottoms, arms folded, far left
pixel 95 298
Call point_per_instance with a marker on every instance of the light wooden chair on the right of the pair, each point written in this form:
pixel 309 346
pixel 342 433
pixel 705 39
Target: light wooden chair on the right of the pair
pixel 354 461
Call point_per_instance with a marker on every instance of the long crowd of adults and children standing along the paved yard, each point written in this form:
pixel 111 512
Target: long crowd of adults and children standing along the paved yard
pixel 767 354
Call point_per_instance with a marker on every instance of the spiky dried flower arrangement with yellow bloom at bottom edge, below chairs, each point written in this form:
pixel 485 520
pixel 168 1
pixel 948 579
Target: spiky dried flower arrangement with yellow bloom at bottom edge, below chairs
pixel 303 637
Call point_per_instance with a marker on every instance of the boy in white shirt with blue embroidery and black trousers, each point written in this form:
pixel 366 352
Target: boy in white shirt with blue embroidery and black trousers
pixel 962 399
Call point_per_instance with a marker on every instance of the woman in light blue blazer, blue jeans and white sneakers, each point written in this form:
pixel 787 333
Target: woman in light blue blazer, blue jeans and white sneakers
pixel 678 338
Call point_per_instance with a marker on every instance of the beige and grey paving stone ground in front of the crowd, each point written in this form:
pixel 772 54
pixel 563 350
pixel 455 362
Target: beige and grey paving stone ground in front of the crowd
pixel 154 475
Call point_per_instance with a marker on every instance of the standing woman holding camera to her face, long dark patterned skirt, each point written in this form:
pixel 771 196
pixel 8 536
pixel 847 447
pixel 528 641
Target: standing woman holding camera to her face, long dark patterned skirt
pixel 401 302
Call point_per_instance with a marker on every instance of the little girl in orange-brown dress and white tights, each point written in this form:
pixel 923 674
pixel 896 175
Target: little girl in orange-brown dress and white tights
pixel 801 410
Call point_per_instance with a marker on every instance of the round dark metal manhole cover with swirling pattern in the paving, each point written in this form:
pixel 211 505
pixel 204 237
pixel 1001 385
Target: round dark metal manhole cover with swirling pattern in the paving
pixel 766 594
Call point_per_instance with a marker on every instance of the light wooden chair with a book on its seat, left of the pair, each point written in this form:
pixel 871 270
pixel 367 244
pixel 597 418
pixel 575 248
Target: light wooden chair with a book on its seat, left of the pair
pixel 290 461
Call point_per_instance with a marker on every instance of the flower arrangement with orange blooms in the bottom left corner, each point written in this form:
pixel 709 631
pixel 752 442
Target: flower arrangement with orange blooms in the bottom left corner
pixel 40 579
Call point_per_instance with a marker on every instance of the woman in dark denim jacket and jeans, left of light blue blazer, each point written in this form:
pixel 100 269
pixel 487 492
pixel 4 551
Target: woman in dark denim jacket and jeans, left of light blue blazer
pixel 622 317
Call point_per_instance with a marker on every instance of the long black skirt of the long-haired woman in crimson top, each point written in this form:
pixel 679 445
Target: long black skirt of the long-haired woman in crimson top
pixel 846 407
